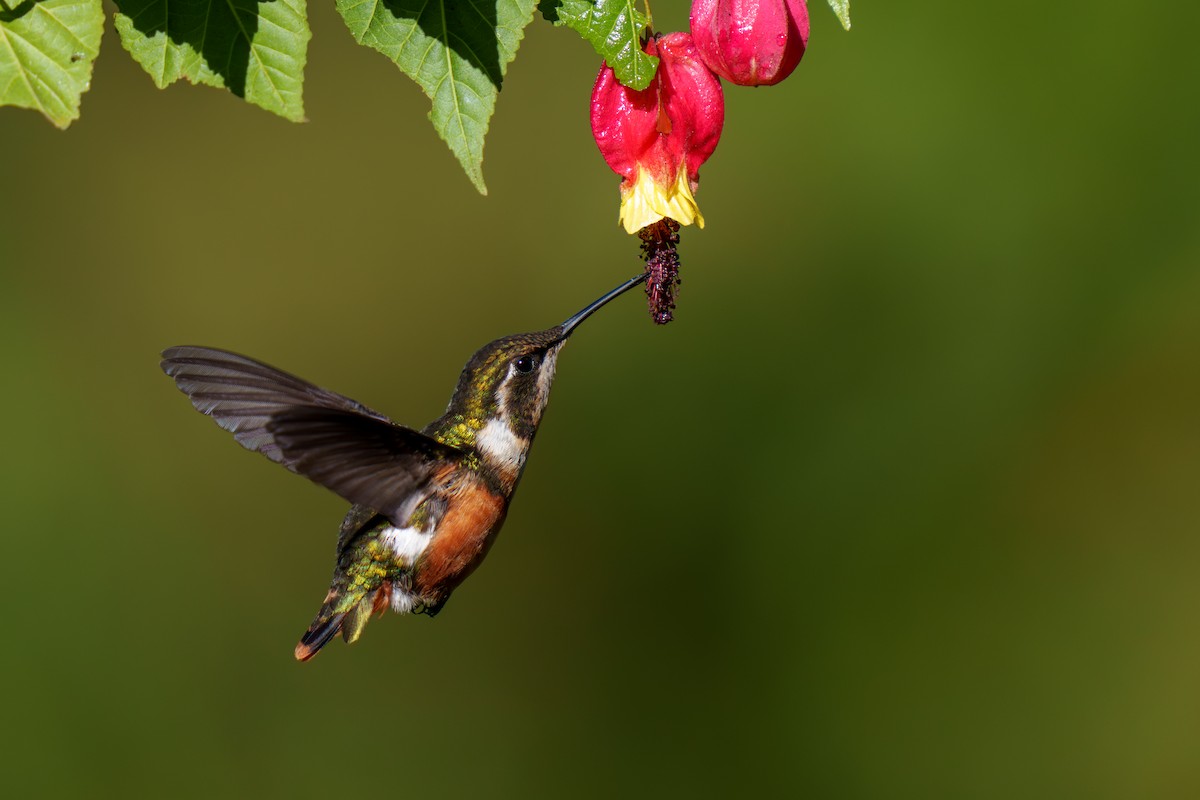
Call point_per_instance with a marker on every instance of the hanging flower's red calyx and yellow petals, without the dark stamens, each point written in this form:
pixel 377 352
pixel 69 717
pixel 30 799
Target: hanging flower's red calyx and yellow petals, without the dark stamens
pixel 657 139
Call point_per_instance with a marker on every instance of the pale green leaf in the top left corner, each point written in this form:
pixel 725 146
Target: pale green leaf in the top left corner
pixel 47 49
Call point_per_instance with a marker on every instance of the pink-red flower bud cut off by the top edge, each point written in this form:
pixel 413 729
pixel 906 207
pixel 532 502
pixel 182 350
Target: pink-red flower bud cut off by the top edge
pixel 751 43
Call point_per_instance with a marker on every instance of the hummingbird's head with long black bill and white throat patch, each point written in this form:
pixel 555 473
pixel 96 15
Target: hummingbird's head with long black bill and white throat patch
pixel 505 388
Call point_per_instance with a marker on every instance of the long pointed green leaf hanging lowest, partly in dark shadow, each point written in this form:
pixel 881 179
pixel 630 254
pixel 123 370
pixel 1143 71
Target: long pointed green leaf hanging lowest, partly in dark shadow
pixel 457 51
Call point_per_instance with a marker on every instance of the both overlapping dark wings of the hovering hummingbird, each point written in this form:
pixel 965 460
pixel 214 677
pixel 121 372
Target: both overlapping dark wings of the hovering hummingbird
pixel 329 438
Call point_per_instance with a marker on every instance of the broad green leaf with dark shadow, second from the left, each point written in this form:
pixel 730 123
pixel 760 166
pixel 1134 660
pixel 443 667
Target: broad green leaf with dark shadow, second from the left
pixel 256 50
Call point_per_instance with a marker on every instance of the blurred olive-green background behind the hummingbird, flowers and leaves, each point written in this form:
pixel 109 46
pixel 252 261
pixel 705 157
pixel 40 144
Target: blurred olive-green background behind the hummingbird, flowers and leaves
pixel 903 506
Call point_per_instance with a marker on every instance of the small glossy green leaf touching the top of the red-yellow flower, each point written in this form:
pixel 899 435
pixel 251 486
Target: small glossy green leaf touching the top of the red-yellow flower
pixel 615 29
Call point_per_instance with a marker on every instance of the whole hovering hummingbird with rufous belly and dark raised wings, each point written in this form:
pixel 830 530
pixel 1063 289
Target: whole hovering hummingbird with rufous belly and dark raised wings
pixel 427 506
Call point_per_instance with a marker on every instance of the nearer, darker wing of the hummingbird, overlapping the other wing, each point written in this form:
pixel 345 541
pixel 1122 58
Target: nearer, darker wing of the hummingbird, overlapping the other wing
pixel 369 462
